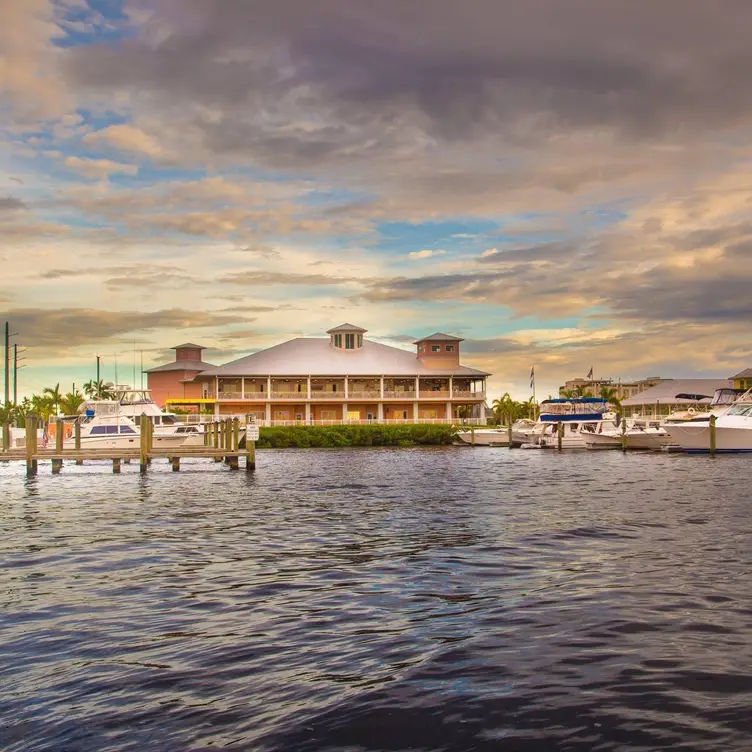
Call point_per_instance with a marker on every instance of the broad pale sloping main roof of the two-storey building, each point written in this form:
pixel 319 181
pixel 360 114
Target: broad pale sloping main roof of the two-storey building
pixel 317 357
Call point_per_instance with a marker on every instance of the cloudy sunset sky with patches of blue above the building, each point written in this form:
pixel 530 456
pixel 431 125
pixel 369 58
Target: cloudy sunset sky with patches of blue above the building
pixel 564 184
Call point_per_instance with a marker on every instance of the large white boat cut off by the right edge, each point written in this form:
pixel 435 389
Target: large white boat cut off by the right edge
pixel 733 430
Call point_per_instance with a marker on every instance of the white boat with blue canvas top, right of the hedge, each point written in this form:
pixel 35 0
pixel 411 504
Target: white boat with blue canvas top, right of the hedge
pixel 588 413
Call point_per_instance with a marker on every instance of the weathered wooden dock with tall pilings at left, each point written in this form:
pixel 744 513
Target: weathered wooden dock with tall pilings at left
pixel 221 443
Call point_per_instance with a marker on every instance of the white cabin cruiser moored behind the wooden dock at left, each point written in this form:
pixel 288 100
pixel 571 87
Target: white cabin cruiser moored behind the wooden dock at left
pixel 106 428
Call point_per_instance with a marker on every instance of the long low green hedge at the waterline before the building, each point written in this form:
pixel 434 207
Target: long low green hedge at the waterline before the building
pixel 355 435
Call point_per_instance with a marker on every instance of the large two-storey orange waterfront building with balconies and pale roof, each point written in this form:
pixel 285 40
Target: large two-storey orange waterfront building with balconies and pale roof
pixel 344 377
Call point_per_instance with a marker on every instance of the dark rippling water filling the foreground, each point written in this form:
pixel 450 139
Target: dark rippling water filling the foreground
pixel 428 599
